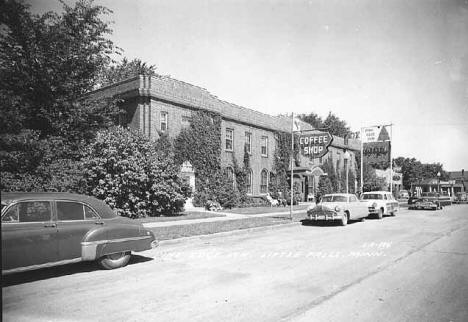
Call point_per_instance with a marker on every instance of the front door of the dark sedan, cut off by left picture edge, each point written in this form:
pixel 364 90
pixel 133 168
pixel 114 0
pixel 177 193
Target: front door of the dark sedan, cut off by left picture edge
pixel 29 235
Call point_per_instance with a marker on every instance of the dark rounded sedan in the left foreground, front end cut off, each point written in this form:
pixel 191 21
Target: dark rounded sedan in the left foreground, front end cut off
pixel 47 229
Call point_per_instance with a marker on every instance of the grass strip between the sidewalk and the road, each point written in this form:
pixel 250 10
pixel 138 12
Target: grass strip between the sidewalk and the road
pixel 173 232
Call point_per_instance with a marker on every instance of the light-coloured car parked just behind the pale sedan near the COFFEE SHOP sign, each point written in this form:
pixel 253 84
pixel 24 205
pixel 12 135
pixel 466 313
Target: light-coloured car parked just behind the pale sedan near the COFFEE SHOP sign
pixel 380 203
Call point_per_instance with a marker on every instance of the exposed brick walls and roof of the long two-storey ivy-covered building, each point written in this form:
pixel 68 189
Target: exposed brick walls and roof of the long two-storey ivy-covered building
pixel 163 104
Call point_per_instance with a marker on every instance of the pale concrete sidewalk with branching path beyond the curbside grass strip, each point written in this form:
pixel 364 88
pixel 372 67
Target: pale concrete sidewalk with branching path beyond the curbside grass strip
pixel 227 216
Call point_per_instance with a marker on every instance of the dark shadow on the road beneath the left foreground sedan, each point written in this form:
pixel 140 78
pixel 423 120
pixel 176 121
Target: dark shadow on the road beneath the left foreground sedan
pixel 62 270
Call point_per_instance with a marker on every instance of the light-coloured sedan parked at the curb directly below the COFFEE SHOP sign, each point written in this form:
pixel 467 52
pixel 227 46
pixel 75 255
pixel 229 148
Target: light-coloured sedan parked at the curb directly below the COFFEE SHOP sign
pixel 338 206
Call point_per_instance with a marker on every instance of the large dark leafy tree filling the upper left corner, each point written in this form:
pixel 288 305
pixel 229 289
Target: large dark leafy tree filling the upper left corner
pixel 47 64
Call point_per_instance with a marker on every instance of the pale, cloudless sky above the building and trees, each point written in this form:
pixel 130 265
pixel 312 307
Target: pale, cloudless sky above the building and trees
pixel 369 62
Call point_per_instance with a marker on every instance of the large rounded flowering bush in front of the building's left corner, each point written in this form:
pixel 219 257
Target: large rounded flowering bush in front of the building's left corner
pixel 126 170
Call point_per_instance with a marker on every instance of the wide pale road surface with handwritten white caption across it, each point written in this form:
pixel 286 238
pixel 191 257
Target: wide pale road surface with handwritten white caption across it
pixel 412 267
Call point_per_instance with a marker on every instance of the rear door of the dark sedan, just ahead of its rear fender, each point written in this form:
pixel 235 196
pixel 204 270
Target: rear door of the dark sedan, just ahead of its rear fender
pixel 74 221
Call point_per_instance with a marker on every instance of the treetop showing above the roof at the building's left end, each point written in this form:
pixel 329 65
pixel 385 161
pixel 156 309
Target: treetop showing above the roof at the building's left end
pixel 125 69
